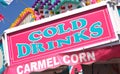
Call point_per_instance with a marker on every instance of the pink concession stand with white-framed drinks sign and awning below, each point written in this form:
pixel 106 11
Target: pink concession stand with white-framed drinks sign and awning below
pixel 80 41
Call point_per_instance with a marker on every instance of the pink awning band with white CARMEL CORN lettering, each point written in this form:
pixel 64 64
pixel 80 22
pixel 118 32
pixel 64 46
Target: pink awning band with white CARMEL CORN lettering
pixel 74 59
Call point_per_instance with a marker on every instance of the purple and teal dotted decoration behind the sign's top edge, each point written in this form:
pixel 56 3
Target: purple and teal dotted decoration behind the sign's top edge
pixel 46 8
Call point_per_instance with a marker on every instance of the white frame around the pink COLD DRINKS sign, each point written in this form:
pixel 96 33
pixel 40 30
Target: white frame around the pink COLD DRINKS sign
pixel 68 13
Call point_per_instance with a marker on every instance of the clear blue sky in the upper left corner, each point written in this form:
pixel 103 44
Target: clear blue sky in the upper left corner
pixel 12 11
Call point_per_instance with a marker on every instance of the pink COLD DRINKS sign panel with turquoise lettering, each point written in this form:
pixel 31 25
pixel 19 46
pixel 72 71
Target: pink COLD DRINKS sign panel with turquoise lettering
pixel 71 33
